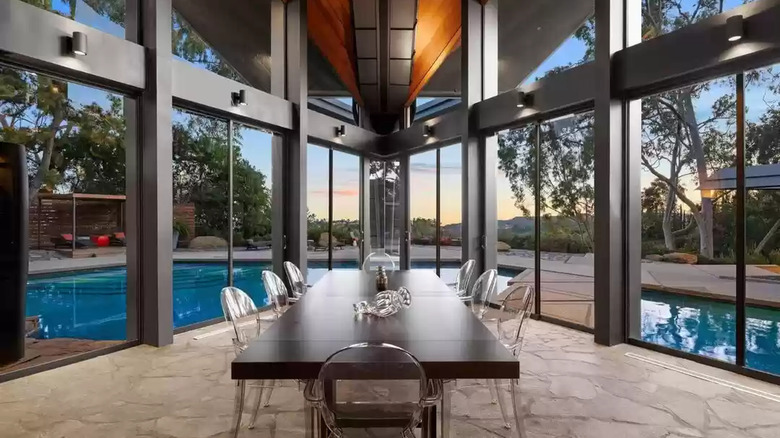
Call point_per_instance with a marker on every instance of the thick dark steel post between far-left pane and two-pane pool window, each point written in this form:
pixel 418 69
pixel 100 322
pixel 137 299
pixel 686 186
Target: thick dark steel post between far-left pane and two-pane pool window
pixel 157 179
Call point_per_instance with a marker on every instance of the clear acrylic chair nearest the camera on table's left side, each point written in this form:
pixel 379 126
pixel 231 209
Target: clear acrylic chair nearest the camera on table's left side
pixel 240 311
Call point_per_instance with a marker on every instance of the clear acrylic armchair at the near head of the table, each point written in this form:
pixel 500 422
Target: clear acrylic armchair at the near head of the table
pixel 368 386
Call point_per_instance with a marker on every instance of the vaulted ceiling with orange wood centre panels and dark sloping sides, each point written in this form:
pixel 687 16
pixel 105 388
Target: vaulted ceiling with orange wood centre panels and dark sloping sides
pixel 384 53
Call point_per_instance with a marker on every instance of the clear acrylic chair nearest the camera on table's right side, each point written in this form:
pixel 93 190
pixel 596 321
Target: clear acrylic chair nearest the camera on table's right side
pixel 512 321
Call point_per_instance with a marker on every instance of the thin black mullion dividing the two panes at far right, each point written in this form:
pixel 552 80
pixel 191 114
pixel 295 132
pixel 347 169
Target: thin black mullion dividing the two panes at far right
pixel 740 221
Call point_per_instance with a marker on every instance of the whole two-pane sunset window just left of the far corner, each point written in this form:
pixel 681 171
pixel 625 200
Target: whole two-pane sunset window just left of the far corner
pixel 333 202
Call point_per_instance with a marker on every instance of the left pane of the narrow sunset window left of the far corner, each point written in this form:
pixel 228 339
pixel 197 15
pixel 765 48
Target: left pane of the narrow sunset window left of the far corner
pixel 317 202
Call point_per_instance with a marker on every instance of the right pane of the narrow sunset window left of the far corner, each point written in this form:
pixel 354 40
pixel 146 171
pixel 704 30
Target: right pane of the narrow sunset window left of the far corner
pixel 346 210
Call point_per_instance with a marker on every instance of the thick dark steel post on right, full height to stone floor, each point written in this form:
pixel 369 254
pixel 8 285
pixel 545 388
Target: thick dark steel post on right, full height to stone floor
pixel 609 298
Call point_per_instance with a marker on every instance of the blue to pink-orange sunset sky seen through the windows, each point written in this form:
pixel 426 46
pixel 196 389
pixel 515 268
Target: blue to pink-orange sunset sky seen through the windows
pixel 257 144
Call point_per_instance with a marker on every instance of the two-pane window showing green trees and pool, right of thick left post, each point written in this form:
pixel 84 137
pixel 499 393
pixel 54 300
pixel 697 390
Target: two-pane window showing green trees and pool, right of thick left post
pixel 203 229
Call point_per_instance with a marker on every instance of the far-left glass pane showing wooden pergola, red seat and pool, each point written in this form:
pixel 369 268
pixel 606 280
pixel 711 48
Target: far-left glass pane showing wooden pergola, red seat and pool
pixel 76 297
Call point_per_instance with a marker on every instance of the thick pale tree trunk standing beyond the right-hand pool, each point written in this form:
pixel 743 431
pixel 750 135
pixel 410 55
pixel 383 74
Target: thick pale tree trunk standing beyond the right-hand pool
pixel 706 244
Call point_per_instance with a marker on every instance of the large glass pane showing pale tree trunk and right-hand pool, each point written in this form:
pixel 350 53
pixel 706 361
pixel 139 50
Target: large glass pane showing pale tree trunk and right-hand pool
pixel 688 268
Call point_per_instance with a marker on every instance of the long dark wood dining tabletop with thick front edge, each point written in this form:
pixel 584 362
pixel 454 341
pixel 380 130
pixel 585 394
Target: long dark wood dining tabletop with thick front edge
pixel 438 329
